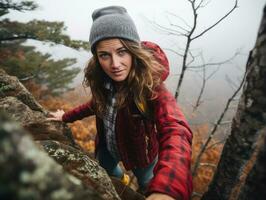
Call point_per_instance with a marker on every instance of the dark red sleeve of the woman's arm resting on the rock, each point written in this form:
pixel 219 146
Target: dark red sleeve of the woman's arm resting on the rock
pixel 79 112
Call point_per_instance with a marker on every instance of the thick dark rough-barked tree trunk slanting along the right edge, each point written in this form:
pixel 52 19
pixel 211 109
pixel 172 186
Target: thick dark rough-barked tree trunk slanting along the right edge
pixel 249 120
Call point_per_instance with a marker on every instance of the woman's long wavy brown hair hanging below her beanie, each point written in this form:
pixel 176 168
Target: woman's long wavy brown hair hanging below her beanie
pixel 143 78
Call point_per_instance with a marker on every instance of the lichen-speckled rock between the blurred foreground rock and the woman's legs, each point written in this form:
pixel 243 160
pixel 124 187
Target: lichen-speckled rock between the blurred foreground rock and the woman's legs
pixel 82 166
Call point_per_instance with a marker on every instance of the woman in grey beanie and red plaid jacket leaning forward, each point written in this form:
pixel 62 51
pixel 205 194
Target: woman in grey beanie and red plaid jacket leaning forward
pixel 137 118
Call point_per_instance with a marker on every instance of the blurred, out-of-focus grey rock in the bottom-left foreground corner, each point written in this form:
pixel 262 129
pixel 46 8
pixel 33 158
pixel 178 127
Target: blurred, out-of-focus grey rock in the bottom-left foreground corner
pixel 27 172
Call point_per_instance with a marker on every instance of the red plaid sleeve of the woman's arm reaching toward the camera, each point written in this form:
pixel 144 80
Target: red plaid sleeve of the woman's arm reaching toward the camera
pixel 172 174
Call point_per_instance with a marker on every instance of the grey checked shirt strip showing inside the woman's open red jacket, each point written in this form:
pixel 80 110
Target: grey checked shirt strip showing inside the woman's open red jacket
pixel 109 123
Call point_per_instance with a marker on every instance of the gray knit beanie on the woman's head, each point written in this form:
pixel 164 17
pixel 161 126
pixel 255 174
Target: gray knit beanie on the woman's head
pixel 112 22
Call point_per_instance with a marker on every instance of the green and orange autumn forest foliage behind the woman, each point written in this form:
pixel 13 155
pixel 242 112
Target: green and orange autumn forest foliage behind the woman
pixel 48 80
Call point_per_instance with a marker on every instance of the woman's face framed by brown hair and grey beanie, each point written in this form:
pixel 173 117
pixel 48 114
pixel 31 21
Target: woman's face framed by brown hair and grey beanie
pixel 114 58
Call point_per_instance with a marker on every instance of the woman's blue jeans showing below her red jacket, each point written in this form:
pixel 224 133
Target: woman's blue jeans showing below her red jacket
pixel 110 164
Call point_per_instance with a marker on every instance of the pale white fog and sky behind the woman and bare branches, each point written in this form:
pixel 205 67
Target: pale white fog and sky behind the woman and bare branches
pixel 237 33
